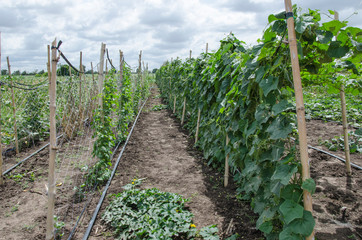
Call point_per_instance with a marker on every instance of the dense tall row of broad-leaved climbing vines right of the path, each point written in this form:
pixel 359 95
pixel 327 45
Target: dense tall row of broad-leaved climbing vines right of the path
pixel 245 93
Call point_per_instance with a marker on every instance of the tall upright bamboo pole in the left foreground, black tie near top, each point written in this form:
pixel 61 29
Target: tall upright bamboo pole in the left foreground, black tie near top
pixel 52 145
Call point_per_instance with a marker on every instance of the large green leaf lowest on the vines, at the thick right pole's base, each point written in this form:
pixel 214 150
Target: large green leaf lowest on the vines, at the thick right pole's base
pixel 304 225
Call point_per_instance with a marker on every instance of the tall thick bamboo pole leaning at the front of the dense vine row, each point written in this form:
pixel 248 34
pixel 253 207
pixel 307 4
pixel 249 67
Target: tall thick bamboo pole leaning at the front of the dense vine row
pixel 303 147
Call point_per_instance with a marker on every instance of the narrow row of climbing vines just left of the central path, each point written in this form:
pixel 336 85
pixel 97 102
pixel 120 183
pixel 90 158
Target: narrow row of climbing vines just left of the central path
pixel 120 103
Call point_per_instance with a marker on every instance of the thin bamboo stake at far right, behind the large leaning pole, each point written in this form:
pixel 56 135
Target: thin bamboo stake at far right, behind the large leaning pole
pixel 344 120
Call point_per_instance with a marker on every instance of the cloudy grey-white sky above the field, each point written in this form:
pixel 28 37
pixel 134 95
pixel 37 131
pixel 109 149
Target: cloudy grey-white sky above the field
pixel 162 29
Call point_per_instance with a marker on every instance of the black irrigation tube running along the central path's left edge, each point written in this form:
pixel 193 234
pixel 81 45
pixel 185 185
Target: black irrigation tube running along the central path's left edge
pixel 91 223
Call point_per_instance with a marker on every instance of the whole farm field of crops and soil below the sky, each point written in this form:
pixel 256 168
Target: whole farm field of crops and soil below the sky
pixel 208 147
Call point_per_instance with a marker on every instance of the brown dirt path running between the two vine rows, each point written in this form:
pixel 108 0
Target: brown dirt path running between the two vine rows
pixel 161 151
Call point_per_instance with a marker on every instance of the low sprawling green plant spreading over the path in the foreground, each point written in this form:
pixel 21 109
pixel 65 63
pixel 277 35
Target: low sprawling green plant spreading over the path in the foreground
pixel 150 213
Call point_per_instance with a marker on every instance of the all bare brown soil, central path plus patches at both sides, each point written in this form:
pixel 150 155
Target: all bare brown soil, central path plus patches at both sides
pixel 162 151
